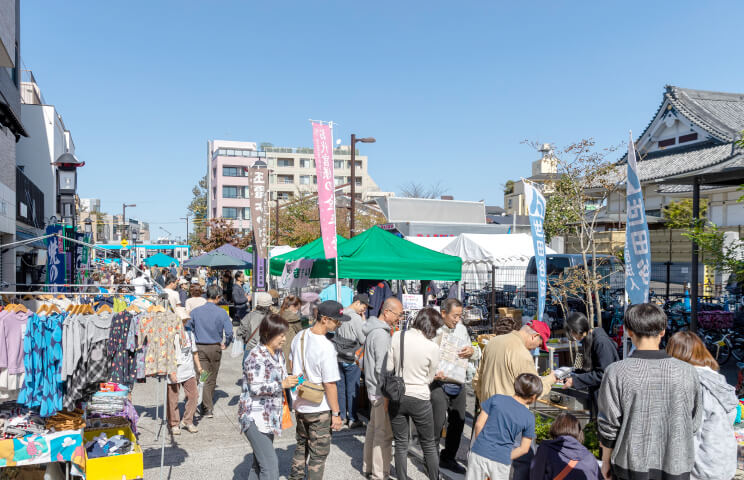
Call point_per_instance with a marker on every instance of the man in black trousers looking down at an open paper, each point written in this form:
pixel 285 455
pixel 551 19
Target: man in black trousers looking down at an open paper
pixel 448 400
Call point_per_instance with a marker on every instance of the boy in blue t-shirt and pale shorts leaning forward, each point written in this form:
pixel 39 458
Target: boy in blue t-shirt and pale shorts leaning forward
pixel 502 422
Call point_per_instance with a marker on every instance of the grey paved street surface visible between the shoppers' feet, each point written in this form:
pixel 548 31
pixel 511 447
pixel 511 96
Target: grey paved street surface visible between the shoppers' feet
pixel 220 451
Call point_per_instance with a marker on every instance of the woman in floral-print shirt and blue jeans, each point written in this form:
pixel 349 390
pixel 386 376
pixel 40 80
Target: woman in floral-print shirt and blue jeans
pixel 262 402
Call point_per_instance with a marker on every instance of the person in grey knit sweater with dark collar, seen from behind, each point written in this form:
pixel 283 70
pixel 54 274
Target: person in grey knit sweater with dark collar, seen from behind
pixel 650 406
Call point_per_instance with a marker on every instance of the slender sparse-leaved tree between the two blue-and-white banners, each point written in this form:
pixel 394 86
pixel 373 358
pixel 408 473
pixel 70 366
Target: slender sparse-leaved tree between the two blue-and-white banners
pixel 586 179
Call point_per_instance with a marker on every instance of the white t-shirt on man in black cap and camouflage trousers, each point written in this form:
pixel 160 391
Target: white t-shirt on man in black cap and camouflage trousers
pixel 320 364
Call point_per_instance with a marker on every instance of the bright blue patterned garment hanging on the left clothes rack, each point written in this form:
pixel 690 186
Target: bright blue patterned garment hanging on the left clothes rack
pixel 42 361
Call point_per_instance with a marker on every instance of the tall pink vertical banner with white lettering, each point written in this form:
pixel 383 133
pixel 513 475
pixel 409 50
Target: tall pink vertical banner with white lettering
pixel 322 140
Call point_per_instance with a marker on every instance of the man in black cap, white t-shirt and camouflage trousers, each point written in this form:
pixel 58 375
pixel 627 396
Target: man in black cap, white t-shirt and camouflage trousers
pixel 314 360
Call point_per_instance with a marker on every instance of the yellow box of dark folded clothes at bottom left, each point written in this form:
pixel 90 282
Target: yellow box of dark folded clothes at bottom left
pixel 128 466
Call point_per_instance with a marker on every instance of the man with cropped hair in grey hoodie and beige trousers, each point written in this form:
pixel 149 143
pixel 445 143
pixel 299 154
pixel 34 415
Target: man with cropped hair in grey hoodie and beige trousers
pixel 378 443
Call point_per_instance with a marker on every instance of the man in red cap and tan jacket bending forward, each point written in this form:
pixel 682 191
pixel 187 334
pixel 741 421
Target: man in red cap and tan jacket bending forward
pixel 504 359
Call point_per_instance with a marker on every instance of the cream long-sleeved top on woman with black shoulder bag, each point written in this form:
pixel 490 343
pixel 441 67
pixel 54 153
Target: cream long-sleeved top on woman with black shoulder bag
pixel 420 361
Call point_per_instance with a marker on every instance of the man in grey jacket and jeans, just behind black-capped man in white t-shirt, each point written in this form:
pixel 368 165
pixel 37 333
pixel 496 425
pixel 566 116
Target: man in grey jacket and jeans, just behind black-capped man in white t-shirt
pixel 349 340
